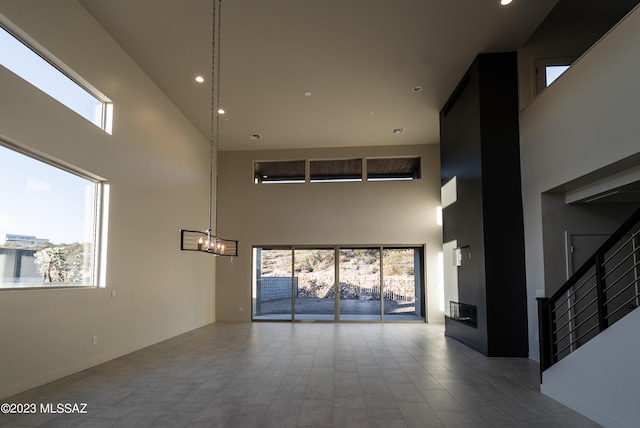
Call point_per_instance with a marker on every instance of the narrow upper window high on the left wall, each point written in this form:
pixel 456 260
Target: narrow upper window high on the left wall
pixel 20 59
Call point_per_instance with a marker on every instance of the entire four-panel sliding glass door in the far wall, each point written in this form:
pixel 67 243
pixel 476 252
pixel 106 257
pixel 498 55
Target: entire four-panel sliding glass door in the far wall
pixel 338 284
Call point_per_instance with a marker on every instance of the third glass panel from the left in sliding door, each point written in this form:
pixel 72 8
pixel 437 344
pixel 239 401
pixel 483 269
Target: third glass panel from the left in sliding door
pixel 359 274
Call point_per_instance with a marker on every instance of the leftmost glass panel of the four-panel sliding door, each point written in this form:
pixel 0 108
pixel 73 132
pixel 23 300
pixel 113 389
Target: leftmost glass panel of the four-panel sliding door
pixel 273 284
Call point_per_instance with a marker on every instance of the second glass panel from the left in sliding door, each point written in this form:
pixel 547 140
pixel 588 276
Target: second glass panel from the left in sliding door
pixel 315 279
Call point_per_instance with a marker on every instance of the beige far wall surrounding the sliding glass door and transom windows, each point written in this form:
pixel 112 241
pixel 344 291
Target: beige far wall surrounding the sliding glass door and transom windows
pixel 354 213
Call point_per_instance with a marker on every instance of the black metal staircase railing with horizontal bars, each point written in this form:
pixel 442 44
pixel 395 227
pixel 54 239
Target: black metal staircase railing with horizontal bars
pixel 602 291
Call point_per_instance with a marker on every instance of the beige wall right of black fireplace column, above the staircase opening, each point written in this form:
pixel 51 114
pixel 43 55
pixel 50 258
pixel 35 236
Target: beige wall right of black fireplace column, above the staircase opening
pixel 583 127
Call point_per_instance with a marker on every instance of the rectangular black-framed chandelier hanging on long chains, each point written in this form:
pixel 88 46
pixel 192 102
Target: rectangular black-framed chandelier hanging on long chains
pixel 207 240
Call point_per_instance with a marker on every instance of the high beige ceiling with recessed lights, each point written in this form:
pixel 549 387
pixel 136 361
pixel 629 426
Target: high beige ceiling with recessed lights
pixel 360 60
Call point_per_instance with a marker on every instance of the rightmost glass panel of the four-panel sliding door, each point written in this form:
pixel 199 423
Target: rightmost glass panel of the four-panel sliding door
pixel 402 290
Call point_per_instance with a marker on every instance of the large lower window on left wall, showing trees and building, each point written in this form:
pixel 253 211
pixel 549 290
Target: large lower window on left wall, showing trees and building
pixel 49 224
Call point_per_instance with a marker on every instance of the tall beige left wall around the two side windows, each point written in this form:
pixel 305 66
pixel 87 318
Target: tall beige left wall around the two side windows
pixel 157 166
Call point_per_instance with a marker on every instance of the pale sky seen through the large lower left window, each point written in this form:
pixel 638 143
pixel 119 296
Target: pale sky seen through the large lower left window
pixel 40 200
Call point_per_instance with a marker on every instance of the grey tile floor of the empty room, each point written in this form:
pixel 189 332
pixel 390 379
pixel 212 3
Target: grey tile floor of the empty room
pixel 303 375
